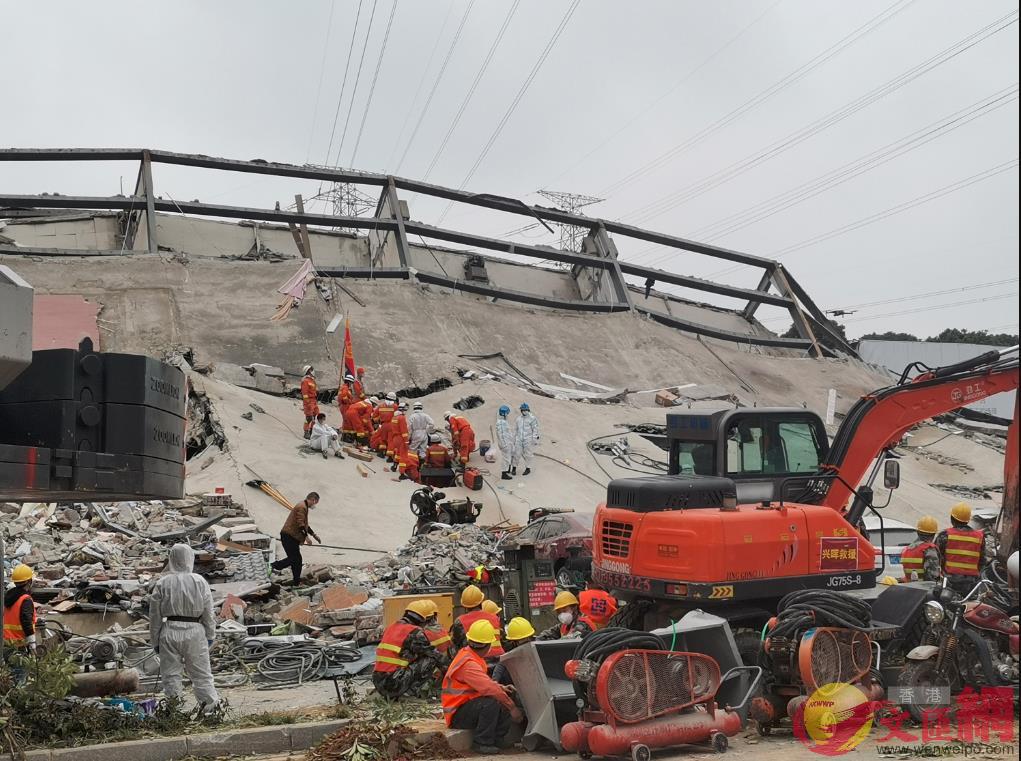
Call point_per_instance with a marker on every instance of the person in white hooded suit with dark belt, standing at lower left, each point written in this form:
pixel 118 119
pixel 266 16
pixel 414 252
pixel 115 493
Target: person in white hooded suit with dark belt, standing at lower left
pixel 182 628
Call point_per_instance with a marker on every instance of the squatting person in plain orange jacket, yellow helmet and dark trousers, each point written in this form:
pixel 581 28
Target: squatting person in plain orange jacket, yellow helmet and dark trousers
pixel 472 700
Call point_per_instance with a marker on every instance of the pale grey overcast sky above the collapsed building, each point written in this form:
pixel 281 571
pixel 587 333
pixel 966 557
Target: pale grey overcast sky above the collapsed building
pixel 872 147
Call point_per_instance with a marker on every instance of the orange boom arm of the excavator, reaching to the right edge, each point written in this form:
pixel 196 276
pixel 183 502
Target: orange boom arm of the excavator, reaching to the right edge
pixel 880 420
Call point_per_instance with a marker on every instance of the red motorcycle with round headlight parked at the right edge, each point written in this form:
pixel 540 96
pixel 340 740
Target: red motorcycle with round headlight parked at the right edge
pixel 970 641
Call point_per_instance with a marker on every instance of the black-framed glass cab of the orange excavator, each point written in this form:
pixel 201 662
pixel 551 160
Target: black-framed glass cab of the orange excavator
pixel 762 450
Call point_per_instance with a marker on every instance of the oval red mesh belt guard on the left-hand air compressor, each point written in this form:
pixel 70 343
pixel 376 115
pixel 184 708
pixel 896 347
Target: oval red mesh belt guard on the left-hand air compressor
pixel 636 686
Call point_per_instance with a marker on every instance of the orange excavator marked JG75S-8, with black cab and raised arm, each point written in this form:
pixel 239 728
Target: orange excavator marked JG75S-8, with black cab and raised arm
pixel 759 504
